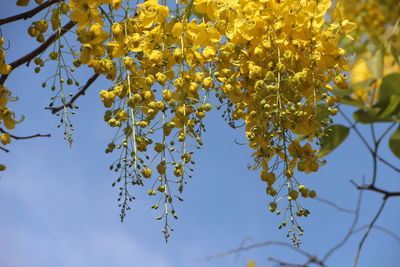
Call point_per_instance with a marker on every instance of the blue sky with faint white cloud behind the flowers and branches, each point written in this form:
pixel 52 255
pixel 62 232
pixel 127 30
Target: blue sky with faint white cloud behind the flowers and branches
pixel 57 206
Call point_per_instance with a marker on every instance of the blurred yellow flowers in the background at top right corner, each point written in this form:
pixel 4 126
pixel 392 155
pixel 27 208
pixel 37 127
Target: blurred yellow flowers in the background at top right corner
pixel 376 30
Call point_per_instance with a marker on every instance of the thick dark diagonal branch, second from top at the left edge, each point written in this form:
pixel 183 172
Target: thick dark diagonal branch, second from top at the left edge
pixel 28 57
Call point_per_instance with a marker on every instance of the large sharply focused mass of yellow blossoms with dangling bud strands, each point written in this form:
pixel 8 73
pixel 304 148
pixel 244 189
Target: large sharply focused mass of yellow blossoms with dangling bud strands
pixel 269 64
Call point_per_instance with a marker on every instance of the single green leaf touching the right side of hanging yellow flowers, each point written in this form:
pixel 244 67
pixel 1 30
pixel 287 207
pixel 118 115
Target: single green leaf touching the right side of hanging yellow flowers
pixel 336 135
